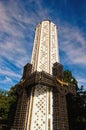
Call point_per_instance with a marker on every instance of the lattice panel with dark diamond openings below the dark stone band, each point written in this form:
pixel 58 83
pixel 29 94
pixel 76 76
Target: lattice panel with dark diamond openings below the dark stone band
pixel 39 108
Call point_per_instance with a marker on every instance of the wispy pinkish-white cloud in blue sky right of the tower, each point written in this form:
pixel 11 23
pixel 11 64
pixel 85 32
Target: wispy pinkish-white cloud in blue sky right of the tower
pixel 73 44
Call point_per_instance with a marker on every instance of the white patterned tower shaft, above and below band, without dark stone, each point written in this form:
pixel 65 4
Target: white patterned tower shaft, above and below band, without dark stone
pixel 45 54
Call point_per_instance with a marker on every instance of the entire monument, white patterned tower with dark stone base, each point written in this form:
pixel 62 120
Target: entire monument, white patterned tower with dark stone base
pixel 41 92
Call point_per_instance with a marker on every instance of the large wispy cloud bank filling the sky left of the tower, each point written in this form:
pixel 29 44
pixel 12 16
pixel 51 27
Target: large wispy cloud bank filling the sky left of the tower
pixel 14 47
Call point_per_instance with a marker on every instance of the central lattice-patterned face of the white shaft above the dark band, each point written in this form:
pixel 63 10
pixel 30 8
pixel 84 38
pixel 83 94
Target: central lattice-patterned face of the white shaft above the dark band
pixel 44 48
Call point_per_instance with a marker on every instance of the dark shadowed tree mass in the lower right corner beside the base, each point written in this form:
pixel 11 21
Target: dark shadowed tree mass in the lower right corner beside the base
pixel 77 110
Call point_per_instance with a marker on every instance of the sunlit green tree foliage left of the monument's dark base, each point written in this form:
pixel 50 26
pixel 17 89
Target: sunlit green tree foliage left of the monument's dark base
pixel 7 101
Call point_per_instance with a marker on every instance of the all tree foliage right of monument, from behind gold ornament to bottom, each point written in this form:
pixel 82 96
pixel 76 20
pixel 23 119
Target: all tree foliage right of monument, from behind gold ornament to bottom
pixel 76 104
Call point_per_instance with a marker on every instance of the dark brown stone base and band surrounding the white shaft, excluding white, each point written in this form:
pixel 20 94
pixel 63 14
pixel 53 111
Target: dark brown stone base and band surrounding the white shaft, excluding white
pixel 24 88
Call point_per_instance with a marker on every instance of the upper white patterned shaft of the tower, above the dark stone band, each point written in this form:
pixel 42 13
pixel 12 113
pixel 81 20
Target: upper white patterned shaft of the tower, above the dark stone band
pixel 45 50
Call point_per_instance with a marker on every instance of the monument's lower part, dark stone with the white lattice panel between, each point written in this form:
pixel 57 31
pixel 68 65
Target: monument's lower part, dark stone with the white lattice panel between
pixel 42 101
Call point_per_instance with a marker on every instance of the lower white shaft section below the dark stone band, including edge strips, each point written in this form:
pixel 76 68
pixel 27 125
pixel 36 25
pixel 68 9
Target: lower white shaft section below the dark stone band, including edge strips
pixel 40 117
